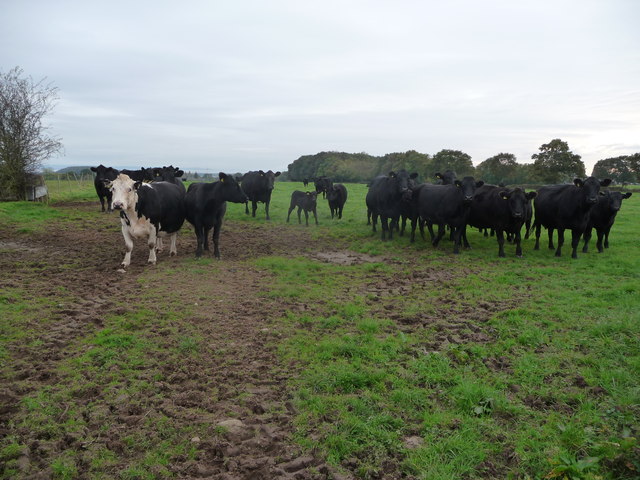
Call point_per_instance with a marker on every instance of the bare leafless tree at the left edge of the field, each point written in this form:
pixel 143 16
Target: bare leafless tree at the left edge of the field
pixel 24 139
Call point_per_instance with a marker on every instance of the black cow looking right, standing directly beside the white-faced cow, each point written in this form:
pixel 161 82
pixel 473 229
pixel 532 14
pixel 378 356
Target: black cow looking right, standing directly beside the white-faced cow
pixel 206 204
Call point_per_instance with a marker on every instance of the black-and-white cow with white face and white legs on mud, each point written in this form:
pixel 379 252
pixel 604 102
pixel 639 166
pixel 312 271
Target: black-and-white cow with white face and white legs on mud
pixel 147 210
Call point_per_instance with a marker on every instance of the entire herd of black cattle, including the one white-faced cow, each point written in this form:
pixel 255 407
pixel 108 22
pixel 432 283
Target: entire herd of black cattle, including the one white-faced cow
pixel 154 203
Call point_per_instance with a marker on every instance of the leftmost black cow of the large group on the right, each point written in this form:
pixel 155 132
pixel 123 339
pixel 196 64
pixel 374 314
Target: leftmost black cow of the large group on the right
pixel 384 198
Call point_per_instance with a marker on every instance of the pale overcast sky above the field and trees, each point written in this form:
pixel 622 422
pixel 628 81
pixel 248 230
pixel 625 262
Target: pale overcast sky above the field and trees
pixel 240 85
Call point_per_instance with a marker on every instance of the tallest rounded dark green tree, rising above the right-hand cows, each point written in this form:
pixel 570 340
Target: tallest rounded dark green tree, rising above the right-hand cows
pixel 557 164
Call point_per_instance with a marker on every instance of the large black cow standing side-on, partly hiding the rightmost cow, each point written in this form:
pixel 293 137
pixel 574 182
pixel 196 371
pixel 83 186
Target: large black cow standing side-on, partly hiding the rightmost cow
pixel 566 207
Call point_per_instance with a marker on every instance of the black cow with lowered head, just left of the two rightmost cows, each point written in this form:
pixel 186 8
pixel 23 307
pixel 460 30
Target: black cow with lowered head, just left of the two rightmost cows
pixel 502 210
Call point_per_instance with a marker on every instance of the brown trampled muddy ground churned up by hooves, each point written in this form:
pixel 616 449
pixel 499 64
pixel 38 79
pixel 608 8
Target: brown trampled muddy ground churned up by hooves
pixel 251 401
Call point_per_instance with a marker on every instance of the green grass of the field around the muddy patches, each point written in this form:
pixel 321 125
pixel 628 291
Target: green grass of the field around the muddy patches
pixel 408 362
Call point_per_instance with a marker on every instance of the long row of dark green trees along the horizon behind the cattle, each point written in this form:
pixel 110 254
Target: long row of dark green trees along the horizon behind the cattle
pixel 553 163
